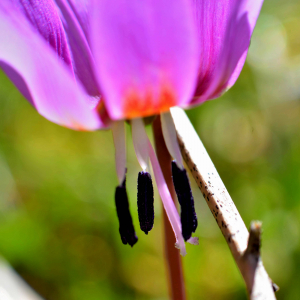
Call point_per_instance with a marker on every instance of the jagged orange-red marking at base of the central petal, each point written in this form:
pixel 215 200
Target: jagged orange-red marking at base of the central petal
pixel 137 105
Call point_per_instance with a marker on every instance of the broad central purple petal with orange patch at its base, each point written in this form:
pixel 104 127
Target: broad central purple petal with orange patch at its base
pixel 146 54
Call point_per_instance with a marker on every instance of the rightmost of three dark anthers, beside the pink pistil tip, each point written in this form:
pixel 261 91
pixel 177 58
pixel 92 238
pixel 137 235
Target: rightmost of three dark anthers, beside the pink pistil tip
pixel 184 194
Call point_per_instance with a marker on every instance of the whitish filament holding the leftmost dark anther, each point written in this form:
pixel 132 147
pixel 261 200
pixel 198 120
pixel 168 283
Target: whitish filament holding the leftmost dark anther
pixel 118 131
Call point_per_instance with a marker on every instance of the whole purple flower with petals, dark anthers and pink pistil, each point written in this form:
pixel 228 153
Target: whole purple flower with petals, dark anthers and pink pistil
pixel 94 64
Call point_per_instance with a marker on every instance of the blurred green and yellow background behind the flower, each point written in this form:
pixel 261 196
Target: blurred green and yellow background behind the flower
pixel 58 225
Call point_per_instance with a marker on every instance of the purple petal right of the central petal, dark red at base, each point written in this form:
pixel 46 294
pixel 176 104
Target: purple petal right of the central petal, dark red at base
pixel 224 30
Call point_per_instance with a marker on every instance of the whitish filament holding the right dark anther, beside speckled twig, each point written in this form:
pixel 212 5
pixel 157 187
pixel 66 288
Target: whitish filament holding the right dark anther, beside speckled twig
pixel 170 137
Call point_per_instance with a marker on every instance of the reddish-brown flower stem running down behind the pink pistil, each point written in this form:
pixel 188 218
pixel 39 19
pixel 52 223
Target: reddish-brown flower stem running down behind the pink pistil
pixel 174 262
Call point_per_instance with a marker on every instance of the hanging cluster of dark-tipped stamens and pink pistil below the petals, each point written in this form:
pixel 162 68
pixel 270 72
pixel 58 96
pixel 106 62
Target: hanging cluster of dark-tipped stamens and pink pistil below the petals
pixel 183 226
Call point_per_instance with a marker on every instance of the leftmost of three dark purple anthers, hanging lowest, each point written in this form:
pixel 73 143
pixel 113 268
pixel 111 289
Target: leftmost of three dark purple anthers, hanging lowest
pixel 126 228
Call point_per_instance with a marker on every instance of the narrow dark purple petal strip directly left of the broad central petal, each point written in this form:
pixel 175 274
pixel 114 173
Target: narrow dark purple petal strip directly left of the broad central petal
pixel 83 62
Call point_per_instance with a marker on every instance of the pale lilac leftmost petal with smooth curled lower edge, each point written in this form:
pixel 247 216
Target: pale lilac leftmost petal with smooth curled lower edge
pixel 41 76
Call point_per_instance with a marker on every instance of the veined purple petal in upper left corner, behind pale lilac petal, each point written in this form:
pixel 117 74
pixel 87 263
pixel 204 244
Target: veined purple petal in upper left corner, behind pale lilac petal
pixel 43 16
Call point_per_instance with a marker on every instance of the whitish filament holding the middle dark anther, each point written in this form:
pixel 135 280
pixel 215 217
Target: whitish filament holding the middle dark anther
pixel 139 138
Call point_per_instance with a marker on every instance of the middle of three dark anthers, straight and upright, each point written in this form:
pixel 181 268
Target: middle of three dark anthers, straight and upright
pixel 145 201
